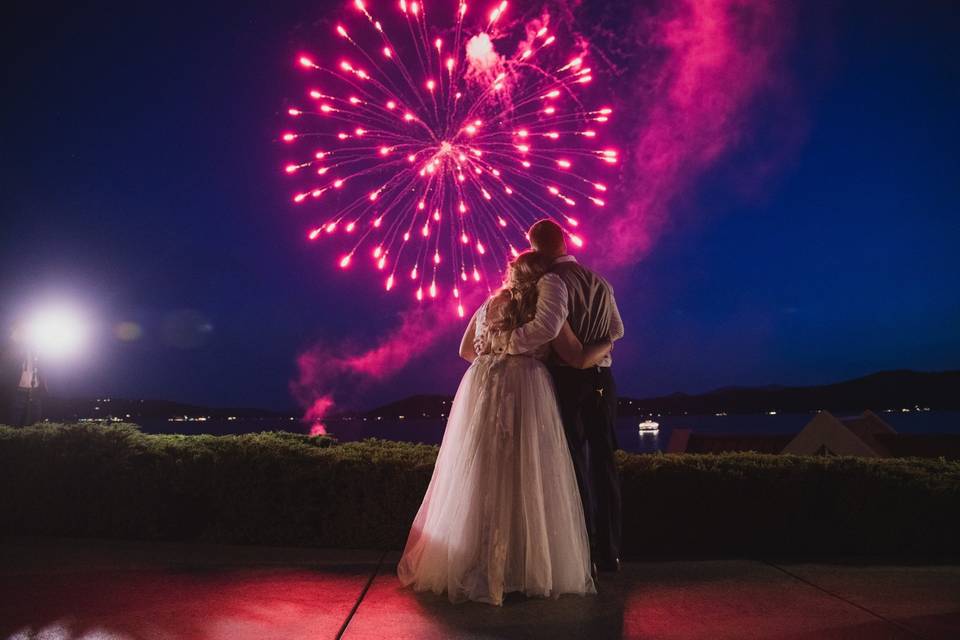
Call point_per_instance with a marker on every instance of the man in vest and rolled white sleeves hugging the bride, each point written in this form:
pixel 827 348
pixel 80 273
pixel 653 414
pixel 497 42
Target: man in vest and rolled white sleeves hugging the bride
pixel 572 293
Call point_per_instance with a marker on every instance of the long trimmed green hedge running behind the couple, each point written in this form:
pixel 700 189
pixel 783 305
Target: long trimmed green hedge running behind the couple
pixel 282 488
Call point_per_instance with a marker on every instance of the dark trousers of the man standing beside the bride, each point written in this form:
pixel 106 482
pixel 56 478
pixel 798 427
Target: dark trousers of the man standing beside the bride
pixel 588 407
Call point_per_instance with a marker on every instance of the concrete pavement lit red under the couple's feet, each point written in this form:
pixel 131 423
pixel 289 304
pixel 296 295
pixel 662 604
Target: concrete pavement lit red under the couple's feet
pixel 60 589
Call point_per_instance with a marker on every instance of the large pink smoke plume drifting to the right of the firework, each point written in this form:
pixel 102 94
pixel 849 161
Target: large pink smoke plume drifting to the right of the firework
pixel 718 57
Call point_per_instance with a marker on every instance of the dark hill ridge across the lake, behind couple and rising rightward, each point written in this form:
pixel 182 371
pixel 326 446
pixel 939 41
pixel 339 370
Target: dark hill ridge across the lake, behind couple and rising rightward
pixel 878 391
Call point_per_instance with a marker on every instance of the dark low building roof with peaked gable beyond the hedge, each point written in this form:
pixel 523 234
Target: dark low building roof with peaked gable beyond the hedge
pixel 865 435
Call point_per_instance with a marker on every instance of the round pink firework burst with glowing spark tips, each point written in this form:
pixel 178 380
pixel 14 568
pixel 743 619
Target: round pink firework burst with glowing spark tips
pixel 431 158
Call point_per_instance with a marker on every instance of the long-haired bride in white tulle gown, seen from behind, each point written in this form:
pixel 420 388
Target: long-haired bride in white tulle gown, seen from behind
pixel 502 512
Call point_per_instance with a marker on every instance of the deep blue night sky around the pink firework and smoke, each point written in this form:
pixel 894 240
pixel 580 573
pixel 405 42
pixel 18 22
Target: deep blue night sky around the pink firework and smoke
pixel 140 175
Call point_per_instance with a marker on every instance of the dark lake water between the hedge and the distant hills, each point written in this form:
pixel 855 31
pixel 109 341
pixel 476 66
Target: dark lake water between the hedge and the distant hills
pixel 430 431
